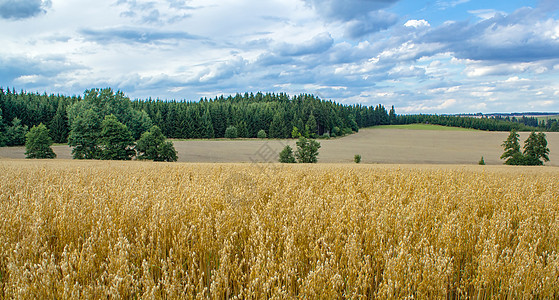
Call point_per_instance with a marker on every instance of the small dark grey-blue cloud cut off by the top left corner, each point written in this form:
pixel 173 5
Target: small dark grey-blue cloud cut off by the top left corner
pixel 22 9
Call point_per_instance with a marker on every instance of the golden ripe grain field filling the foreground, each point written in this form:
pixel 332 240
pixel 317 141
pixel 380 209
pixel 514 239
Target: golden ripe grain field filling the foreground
pixel 92 230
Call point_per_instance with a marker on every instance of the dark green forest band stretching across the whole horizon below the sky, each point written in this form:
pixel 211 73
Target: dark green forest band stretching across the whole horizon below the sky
pixel 275 114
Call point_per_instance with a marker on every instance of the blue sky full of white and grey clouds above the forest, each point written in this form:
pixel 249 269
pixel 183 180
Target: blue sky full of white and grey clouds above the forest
pixel 422 56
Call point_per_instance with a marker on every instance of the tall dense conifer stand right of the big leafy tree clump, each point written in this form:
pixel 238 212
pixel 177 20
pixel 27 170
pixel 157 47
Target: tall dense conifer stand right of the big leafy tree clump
pixel 248 114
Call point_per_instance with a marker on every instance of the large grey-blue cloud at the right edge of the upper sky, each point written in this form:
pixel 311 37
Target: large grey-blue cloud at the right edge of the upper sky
pixel 518 37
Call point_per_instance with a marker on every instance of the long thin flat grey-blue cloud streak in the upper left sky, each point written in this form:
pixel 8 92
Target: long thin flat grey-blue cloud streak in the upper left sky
pixel 135 35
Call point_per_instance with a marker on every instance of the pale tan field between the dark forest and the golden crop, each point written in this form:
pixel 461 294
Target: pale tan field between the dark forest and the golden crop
pixel 424 144
